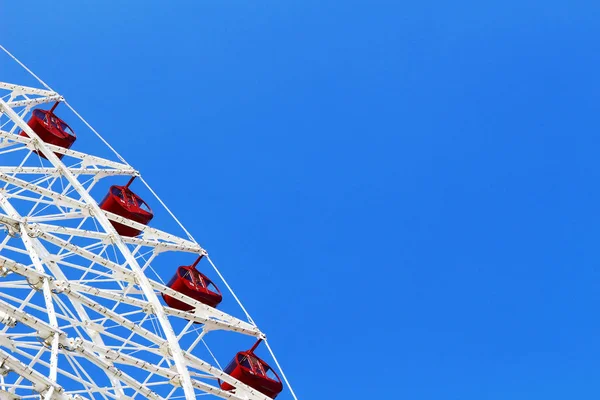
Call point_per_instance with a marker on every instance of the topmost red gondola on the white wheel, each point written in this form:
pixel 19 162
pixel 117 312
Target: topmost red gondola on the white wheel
pixel 51 129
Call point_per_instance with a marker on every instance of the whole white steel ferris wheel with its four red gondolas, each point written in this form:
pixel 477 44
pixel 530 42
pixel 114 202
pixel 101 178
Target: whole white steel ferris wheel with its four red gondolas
pixel 83 312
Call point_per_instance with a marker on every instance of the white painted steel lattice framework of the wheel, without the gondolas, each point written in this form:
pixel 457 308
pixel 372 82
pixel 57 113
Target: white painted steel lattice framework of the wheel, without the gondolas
pixel 80 310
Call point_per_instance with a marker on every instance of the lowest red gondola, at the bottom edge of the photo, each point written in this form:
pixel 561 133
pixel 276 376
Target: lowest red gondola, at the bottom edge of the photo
pixel 254 372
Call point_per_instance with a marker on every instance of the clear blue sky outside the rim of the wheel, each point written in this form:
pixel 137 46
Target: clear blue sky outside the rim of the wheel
pixel 404 194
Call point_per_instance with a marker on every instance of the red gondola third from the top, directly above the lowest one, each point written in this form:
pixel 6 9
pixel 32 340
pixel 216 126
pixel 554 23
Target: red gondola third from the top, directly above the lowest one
pixel 191 282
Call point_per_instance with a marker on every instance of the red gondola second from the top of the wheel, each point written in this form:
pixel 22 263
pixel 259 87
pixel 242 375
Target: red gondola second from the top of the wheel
pixel 122 201
